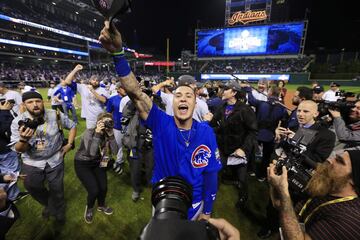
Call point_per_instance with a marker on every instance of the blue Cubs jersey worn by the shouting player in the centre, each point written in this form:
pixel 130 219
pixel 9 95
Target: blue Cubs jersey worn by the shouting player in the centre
pixel 172 156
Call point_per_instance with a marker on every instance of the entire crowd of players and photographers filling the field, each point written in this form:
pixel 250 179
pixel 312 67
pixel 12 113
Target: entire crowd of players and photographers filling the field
pixel 199 132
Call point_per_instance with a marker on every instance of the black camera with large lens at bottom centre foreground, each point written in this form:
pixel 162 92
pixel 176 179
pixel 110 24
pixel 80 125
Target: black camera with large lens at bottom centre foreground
pixel 172 197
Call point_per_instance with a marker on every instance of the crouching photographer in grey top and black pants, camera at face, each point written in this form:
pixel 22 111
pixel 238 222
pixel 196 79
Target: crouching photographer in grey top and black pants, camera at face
pixel 91 162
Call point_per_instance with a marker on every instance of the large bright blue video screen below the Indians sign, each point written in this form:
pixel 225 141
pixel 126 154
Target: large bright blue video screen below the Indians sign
pixel 250 40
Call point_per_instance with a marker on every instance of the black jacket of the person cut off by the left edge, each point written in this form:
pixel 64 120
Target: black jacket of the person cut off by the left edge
pixel 5 131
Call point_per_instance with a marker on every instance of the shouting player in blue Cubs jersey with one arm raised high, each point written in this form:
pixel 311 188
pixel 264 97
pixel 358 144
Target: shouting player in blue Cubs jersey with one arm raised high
pixel 182 146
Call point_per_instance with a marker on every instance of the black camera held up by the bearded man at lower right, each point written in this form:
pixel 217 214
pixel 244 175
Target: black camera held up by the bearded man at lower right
pixel 293 157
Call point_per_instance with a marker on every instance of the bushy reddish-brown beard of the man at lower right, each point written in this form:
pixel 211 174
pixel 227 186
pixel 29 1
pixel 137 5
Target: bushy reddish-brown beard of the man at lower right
pixel 325 181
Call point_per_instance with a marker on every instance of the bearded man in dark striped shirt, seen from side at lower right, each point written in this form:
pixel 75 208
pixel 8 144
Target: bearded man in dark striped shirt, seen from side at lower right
pixel 333 210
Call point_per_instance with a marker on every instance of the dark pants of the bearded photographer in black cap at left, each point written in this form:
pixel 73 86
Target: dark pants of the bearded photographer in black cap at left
pixel 53 197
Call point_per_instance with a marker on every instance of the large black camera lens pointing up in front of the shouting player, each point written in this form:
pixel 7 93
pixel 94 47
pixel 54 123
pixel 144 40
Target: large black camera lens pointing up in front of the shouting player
pixel 172 197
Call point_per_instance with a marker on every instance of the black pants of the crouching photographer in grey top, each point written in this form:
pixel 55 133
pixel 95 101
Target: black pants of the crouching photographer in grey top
pixel 94 179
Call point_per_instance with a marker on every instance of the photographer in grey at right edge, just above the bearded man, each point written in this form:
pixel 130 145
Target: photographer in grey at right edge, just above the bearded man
pixel 348 134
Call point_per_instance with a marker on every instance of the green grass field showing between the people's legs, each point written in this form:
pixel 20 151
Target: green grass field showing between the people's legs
pixel 129 217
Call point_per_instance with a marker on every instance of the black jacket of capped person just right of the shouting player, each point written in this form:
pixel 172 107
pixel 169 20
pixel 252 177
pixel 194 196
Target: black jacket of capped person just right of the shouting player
pixel 239 130
